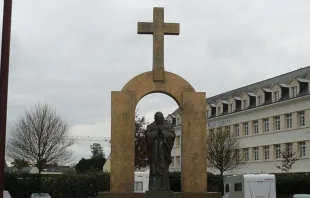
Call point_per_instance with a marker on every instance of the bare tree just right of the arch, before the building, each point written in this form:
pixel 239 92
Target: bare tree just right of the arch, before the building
pixel 223 151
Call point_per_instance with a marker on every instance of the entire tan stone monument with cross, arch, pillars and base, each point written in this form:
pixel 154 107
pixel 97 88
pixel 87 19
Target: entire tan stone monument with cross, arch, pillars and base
pixel 193 107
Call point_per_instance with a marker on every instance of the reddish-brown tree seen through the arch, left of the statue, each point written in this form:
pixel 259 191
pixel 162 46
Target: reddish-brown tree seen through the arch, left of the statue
pixel 140 143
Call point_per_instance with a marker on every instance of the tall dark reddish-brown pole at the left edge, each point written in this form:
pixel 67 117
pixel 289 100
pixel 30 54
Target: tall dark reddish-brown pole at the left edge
pixel 4 76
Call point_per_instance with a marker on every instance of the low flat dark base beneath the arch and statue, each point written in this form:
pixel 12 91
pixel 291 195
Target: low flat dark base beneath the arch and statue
pixel 161 195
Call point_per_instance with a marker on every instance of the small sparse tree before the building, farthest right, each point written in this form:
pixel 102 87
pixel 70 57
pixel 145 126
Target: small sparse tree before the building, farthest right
pixel 288 159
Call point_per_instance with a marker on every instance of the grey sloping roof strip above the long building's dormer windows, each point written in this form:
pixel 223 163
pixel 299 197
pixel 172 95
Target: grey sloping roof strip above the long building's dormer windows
pixel 301 73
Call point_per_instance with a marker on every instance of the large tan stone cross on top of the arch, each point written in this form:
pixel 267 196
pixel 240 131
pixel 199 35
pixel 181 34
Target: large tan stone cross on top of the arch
pixel 158 28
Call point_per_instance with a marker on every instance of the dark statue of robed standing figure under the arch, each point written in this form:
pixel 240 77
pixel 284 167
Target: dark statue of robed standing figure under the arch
pixel 160 138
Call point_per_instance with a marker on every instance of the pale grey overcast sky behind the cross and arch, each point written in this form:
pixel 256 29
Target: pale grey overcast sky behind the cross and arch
pixel 71 54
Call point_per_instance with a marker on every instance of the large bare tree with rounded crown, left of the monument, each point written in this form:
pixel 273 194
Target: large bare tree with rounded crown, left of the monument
pixel 41 137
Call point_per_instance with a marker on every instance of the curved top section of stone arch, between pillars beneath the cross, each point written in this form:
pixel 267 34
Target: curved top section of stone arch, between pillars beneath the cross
pixel 143 85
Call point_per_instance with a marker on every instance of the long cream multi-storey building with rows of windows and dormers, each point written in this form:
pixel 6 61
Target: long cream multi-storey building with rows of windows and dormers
pixel 266 116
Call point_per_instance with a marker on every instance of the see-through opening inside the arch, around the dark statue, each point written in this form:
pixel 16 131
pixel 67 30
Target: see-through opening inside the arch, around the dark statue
pixel 145 110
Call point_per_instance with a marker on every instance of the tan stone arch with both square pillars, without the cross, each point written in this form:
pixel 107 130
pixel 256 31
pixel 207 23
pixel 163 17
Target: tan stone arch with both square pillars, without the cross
pixel 193 107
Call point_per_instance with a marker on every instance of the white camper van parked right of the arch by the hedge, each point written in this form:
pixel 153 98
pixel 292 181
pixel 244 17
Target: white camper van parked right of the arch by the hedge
pixel 250 185
